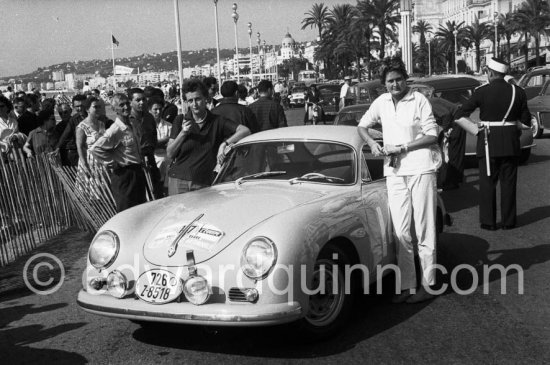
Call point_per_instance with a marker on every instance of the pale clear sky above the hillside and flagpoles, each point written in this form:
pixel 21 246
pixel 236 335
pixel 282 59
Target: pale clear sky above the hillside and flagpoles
pixel 40 33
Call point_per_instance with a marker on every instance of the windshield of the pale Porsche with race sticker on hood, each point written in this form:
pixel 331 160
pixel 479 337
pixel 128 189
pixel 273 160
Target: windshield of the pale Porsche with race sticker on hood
pixel 320 162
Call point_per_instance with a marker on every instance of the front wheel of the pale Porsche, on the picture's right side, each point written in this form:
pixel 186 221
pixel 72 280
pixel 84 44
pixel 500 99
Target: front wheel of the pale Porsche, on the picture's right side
pixel 330 308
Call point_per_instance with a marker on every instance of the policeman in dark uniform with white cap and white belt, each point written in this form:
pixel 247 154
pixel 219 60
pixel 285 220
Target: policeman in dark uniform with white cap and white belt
pixel 502 107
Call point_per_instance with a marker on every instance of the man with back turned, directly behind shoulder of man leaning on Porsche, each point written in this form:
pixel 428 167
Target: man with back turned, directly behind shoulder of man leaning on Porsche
pixel 230 108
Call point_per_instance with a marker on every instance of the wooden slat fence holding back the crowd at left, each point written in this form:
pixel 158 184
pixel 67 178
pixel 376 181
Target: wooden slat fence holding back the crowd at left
pixel 39 198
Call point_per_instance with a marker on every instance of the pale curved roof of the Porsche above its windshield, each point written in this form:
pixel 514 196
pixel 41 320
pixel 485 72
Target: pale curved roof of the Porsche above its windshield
pixel 333 133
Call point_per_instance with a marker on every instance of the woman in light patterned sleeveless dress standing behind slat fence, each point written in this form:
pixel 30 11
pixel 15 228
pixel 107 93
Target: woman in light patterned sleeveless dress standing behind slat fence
pixel 87 132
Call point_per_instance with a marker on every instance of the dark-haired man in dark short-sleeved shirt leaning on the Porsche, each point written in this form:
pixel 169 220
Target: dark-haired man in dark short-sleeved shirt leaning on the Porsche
pixel 198 142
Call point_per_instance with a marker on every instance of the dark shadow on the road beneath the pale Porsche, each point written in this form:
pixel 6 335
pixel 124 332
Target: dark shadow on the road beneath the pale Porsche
pixel 372 314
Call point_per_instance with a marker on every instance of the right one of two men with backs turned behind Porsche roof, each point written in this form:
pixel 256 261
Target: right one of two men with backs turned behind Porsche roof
pixel 269 113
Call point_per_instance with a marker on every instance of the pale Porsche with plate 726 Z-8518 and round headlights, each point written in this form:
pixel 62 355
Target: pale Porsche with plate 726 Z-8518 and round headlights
pixel 258 247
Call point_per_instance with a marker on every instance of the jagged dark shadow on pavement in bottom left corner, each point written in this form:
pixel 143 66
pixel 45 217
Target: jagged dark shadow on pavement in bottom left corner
pixel 16 339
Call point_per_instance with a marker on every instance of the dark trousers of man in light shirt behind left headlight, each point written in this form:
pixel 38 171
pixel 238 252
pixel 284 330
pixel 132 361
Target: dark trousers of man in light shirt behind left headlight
pixel 128 186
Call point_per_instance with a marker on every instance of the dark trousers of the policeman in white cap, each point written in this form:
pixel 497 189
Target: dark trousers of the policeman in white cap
pixel 505 170
